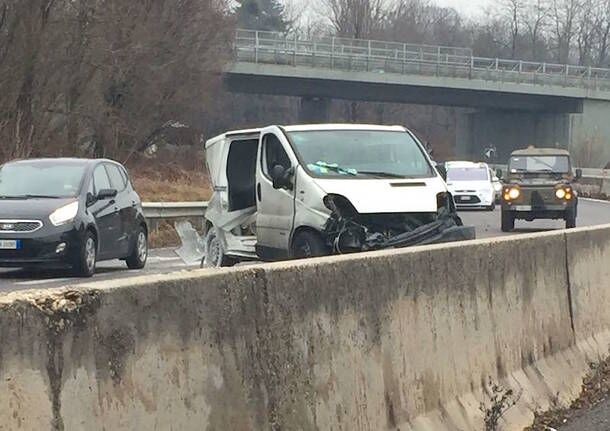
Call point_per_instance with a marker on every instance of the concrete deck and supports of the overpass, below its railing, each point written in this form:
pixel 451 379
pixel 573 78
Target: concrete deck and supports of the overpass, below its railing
pixel 503 115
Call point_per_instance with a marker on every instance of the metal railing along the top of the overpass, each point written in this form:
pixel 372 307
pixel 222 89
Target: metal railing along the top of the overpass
pixel 390 57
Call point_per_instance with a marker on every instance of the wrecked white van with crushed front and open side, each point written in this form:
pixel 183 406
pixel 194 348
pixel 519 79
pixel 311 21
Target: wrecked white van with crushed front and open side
pixel 303 191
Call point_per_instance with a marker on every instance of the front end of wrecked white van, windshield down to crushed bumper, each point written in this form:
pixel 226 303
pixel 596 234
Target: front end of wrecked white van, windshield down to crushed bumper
pixel 367 202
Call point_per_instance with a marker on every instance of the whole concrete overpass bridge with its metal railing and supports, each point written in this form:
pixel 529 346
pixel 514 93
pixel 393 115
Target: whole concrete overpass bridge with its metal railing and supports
pixel 510 103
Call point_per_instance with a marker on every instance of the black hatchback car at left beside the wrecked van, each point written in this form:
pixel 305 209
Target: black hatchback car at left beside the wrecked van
pixel 69 213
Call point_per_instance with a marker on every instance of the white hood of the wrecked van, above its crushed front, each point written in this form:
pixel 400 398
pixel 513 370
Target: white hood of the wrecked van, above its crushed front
pixel 376 196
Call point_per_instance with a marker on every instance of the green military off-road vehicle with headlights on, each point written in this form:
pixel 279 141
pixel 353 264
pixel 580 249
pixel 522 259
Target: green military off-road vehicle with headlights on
pixel 539 184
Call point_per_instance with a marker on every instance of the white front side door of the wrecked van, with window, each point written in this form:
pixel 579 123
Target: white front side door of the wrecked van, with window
pixel 275 201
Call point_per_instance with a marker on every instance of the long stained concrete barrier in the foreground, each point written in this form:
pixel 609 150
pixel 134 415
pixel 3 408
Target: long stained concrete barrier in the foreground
pixel 389 340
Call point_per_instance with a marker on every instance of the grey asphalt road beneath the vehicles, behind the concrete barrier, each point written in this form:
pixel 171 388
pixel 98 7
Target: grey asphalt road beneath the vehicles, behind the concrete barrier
pixel 166 260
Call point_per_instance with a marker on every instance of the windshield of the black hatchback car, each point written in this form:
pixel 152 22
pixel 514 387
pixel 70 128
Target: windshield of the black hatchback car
pixel 40 180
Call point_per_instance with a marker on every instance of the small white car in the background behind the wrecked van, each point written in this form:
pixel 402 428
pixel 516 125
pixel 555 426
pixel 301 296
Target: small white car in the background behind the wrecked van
pixel 472 185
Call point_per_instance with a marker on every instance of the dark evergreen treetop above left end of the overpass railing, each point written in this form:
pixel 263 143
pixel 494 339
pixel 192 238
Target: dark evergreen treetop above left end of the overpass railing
pixel 266 15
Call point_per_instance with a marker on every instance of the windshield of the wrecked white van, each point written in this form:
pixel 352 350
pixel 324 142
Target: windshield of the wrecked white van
pixel 361 153
